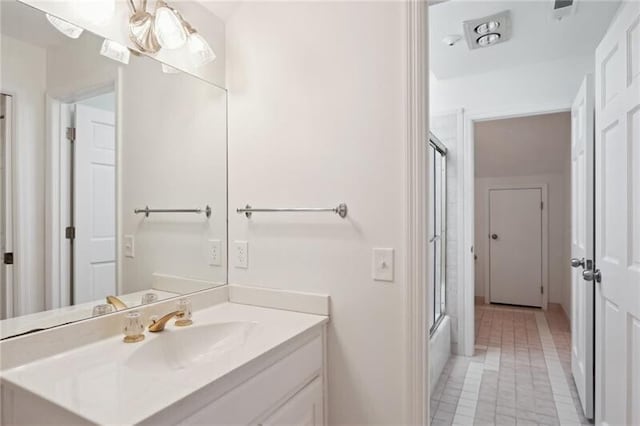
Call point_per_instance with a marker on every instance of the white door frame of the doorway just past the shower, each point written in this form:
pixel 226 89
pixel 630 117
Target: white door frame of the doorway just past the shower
pixel 466 268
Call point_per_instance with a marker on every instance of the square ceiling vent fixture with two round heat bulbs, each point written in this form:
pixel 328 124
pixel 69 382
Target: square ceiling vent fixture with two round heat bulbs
pixel 487 31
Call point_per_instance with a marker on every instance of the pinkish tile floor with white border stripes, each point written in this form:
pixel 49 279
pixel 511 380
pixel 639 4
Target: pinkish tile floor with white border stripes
pixel 520 374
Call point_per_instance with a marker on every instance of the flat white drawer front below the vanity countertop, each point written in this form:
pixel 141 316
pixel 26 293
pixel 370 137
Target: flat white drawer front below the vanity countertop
pixel 265 391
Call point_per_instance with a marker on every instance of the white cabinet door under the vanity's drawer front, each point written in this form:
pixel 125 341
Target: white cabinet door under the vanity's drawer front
pixel 305 408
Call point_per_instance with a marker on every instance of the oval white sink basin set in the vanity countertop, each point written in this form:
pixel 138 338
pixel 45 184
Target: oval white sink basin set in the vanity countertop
pixel 182 348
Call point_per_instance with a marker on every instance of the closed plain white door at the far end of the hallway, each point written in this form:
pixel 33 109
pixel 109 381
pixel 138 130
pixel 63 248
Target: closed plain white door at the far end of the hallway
pixel 515 246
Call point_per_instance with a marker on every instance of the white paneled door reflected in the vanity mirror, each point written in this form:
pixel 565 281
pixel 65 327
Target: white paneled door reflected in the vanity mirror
pixel 94 204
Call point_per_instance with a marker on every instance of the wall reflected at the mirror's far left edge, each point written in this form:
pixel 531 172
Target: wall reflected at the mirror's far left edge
pixel 22 74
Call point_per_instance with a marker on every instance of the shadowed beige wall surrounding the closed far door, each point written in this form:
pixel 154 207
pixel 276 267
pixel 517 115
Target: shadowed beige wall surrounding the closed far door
pixel 530 150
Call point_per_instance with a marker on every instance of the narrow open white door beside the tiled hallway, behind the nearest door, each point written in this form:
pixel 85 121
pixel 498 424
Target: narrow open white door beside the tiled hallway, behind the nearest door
pixel 582 244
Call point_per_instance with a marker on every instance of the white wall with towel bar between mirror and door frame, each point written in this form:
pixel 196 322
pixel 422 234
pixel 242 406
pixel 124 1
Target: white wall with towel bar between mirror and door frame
pixel 316 117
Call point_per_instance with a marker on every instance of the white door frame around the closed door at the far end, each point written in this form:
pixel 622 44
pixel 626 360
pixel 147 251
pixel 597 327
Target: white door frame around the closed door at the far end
pixel 545 238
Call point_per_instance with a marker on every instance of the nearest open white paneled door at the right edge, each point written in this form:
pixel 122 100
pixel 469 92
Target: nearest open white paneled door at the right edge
pixel 617 215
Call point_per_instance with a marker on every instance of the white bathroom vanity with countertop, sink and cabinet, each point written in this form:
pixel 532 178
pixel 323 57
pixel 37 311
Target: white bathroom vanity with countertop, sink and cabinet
pixel 237 364
